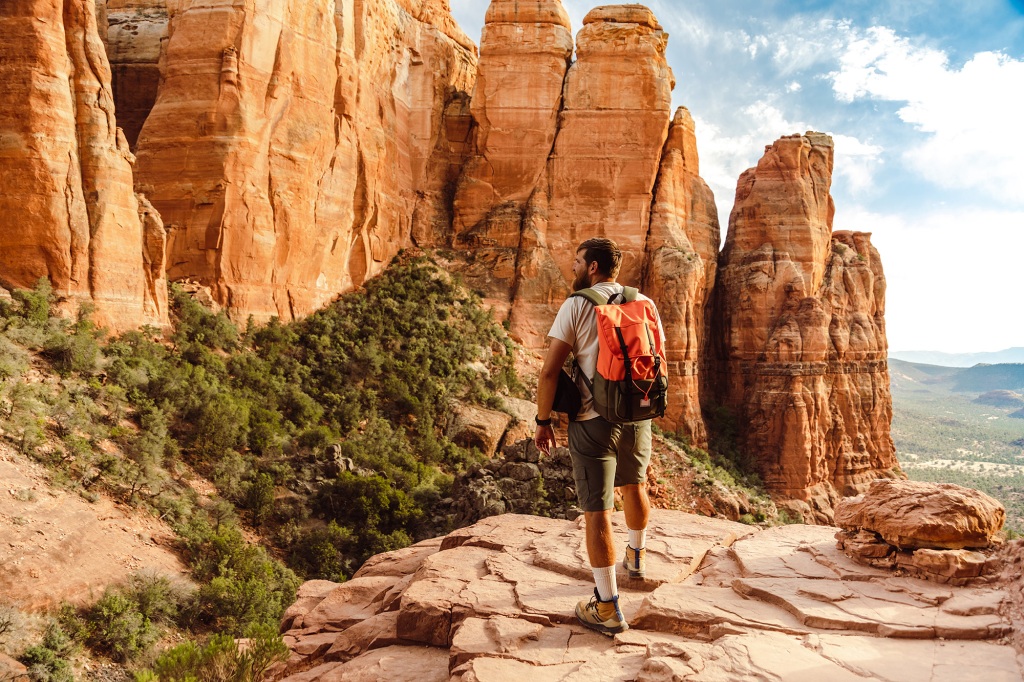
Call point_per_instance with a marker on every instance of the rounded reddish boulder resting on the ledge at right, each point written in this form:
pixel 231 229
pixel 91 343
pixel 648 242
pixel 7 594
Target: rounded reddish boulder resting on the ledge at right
pixel 912 515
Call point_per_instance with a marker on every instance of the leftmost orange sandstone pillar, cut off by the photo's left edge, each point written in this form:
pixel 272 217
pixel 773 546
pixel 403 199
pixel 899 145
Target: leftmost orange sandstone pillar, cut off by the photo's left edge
pixel 68 209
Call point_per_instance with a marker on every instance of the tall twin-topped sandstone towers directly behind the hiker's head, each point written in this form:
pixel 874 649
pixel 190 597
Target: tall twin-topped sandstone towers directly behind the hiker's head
pixel 565 155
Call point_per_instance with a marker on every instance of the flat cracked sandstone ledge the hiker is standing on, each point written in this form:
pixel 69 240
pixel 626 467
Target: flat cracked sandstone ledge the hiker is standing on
pixel 722 602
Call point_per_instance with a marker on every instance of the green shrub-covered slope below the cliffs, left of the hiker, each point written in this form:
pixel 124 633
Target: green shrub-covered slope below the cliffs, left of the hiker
pixel 327 437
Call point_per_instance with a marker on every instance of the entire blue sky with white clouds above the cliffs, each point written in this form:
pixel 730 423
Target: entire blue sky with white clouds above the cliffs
pixel 924 100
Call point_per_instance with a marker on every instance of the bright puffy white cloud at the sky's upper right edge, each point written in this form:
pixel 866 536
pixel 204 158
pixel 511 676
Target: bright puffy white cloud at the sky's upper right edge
pixel 971 115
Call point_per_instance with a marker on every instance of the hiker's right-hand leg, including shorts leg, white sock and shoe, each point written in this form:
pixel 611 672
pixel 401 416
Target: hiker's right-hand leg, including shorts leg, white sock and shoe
pixel 631 478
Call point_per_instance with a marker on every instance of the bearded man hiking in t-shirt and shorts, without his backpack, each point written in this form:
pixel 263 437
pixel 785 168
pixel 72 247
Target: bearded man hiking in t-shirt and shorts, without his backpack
pixel 606 456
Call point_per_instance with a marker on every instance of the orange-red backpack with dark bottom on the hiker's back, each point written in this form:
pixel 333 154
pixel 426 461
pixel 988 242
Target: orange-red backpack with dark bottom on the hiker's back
pixel 631 385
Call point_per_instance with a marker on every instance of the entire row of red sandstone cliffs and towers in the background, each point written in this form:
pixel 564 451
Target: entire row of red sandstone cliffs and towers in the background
pixel 293 148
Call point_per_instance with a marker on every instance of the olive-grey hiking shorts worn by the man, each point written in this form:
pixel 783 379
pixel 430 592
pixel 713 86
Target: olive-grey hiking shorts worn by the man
pixel 607 456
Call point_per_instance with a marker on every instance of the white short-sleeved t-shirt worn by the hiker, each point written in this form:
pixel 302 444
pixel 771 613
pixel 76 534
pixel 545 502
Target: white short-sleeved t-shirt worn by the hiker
pixel 576 324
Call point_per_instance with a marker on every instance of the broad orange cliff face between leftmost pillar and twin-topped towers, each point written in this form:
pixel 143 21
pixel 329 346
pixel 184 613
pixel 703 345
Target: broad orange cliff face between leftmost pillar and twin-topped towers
pixel 293 146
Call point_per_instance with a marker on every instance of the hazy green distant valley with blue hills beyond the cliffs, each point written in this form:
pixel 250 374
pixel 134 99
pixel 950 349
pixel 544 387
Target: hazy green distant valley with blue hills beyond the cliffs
pixel 965 427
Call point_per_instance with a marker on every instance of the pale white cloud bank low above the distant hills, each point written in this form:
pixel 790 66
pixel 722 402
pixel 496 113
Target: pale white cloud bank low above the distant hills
pixel 950 275
